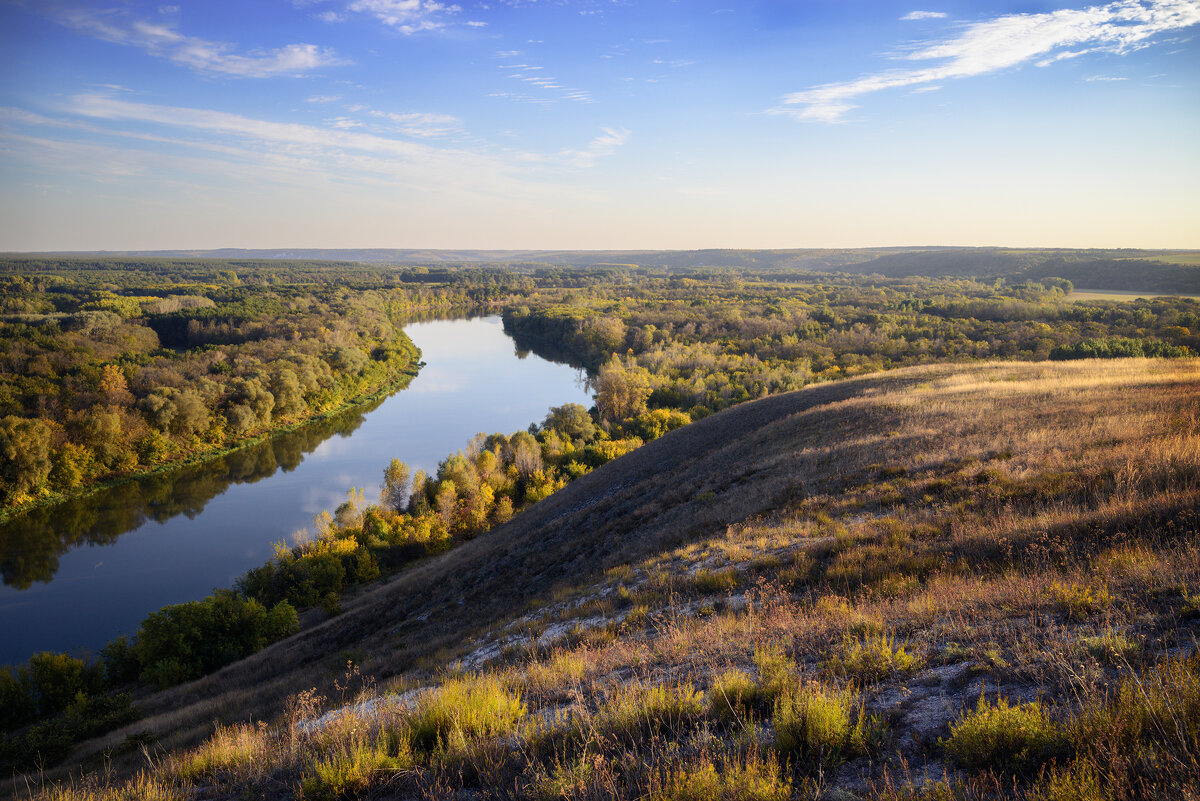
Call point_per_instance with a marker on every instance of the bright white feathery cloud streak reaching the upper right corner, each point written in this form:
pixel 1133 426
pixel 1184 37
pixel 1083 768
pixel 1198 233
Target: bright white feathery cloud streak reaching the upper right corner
pixel 1006 43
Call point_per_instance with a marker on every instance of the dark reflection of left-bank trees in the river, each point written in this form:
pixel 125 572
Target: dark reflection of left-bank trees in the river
pixel 32 544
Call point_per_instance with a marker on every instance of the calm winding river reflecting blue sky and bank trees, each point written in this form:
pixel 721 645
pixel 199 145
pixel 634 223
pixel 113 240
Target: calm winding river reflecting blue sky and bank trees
pixel 80 575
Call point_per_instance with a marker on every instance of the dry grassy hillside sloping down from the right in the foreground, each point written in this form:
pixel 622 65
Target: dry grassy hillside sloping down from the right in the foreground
pixel 967 579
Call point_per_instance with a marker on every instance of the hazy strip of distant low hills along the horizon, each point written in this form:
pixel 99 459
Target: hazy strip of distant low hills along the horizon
pixel 1151 272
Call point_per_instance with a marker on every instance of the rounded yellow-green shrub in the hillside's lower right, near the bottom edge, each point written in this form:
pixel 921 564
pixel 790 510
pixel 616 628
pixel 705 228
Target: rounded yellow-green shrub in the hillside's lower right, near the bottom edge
pixel 1005 739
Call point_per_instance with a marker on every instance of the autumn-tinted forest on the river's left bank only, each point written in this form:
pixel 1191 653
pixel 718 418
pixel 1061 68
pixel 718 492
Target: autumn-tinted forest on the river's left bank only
pixel 113 369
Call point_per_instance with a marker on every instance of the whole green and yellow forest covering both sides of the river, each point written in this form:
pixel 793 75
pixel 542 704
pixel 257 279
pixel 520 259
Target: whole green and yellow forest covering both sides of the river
pixel 119 366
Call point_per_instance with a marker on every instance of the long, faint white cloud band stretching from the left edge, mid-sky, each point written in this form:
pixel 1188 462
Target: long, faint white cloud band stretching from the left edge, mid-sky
pixel 233 148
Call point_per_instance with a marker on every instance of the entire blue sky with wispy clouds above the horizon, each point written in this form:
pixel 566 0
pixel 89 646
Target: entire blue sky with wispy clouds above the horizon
pixel 598 124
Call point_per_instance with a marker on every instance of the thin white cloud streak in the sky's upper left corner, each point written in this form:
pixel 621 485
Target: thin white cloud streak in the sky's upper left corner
pixel 163 40
